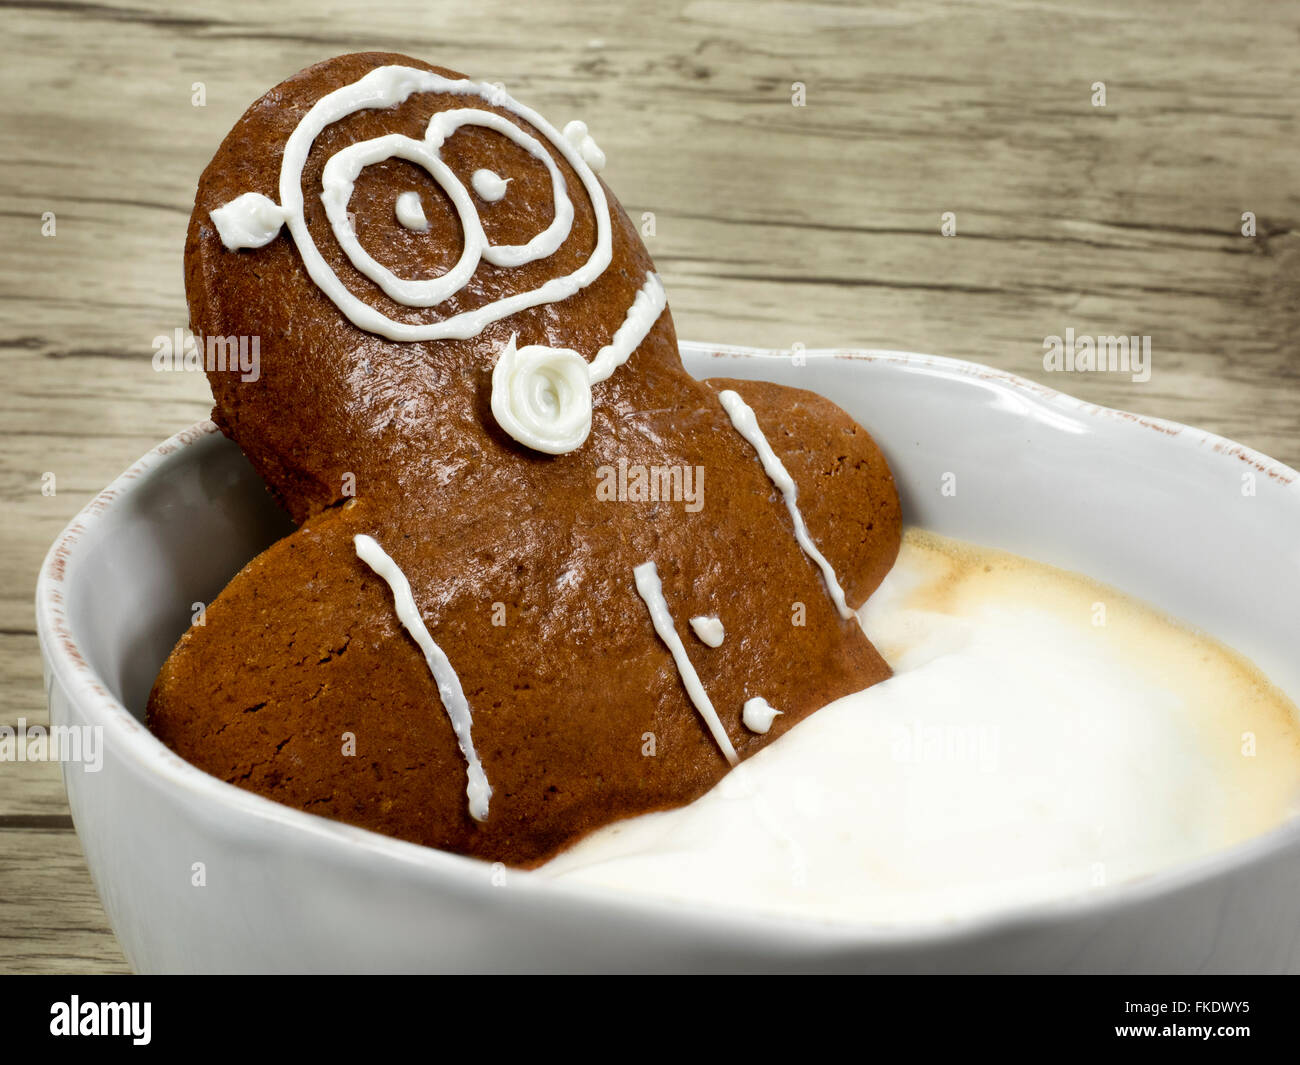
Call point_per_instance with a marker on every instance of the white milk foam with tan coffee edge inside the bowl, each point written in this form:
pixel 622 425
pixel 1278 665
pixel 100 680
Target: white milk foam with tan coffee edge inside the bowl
pixel 1030 747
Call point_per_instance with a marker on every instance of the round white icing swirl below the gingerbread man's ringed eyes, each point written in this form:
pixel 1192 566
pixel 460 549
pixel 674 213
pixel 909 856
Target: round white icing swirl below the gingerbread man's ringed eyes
pixel 543 397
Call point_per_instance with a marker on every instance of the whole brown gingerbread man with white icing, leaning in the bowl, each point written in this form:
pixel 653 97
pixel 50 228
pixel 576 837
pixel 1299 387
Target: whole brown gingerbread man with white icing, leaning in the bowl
pixel 567 582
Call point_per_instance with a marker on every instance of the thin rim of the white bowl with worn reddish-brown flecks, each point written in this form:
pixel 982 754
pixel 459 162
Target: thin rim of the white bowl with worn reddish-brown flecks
pixel 145 755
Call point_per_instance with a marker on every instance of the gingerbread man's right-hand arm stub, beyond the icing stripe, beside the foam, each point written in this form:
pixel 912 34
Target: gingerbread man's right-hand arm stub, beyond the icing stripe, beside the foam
pixel 847 495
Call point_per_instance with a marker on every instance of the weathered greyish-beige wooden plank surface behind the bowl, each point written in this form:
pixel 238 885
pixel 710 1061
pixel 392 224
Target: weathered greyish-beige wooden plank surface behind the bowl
pixel 774 226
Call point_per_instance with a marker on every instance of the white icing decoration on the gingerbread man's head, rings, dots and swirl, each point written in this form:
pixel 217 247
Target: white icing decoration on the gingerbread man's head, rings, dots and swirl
pixel 253 220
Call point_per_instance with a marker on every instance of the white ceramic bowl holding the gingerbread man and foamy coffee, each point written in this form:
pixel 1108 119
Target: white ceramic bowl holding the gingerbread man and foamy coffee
pixel 1149 506
